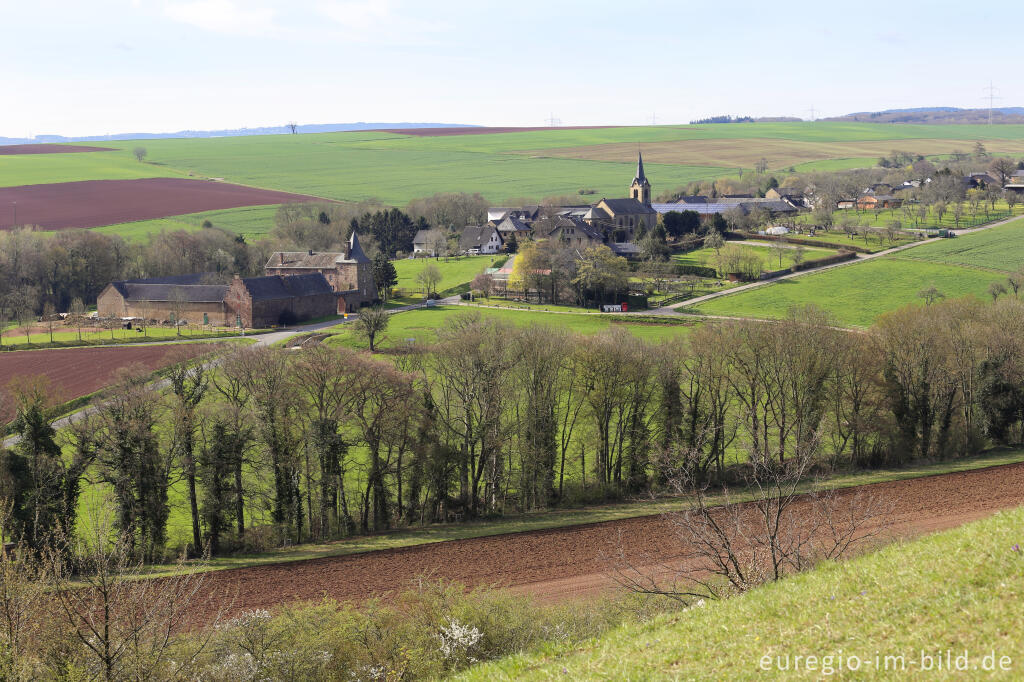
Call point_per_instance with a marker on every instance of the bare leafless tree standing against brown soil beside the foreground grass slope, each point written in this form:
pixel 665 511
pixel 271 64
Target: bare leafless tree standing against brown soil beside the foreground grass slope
pixel 741 545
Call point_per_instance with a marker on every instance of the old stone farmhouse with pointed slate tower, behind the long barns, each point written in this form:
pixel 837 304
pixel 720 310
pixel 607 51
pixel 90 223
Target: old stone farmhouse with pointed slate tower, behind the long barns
pixel 350 273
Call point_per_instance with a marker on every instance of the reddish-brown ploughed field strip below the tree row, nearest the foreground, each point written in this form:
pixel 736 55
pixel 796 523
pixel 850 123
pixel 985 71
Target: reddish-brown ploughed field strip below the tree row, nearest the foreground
pixel 570 563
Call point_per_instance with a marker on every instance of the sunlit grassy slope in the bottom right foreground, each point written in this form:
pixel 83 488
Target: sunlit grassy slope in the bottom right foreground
pixel 959 590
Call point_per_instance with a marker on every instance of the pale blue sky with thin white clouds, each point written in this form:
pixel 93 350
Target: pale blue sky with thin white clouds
pixel 104 67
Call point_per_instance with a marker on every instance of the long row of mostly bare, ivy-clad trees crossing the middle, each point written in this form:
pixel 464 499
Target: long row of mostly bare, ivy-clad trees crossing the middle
pixel 493 418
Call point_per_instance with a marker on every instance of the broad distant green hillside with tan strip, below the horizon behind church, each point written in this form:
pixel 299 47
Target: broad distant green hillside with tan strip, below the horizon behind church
pixel 397 168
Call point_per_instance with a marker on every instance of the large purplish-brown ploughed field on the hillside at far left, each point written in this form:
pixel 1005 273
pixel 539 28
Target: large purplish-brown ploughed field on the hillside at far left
pixel 97 203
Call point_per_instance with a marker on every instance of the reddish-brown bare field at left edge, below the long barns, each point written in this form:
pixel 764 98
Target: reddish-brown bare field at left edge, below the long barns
pixel 76 372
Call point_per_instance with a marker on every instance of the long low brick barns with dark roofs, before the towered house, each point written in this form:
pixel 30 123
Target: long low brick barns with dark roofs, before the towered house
pixel 250 303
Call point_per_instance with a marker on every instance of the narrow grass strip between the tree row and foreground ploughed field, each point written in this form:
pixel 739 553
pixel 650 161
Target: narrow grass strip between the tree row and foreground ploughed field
pixel 559 519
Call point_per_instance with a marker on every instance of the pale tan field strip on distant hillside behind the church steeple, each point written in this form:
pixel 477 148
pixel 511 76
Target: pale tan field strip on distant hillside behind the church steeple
pixel 780 153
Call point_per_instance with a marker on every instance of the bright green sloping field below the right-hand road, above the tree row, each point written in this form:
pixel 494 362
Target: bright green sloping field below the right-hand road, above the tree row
pixel 855 294
